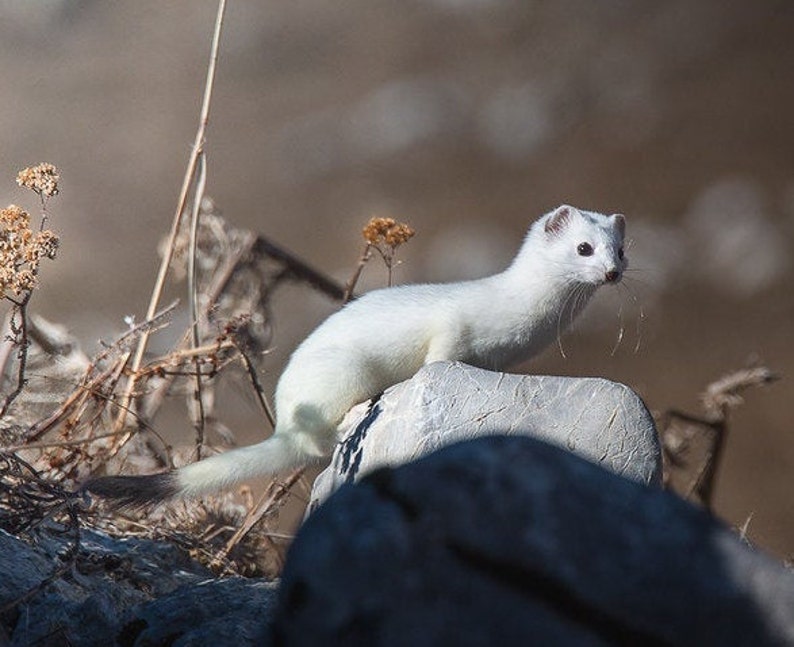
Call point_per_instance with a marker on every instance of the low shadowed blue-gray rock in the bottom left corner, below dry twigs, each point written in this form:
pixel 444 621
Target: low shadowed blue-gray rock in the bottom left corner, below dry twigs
pixel 126 592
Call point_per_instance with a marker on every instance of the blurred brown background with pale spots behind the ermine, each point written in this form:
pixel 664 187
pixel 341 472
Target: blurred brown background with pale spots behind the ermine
pixel 468 119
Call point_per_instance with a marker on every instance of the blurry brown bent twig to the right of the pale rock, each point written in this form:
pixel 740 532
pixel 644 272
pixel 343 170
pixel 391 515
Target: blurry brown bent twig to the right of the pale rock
pixel 693 445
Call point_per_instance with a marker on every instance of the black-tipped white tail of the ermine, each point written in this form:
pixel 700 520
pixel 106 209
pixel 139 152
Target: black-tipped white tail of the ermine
pixel 276 454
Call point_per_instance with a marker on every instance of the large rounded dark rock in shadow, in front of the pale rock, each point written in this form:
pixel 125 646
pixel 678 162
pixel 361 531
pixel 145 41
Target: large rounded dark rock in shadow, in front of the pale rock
pixel 511 541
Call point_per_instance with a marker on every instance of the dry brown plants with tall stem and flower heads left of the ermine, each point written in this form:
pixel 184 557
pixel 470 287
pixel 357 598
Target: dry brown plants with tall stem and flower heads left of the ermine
pixel 67 416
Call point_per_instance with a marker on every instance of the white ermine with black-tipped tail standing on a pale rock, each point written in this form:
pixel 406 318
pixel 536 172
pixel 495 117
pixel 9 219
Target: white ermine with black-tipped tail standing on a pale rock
pixel 387 335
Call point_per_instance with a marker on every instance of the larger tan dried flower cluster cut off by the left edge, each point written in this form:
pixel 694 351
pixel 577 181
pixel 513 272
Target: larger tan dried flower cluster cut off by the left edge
pixel 21 250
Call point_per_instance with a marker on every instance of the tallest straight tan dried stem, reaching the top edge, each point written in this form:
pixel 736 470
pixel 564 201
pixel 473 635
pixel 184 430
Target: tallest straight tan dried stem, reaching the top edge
pixel 198 149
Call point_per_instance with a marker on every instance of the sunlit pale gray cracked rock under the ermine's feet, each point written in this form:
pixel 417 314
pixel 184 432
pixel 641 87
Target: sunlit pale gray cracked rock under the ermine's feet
pixel 447 402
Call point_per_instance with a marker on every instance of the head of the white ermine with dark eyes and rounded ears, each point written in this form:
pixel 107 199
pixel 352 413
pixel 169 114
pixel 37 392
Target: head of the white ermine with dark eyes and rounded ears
pixel 584 246
